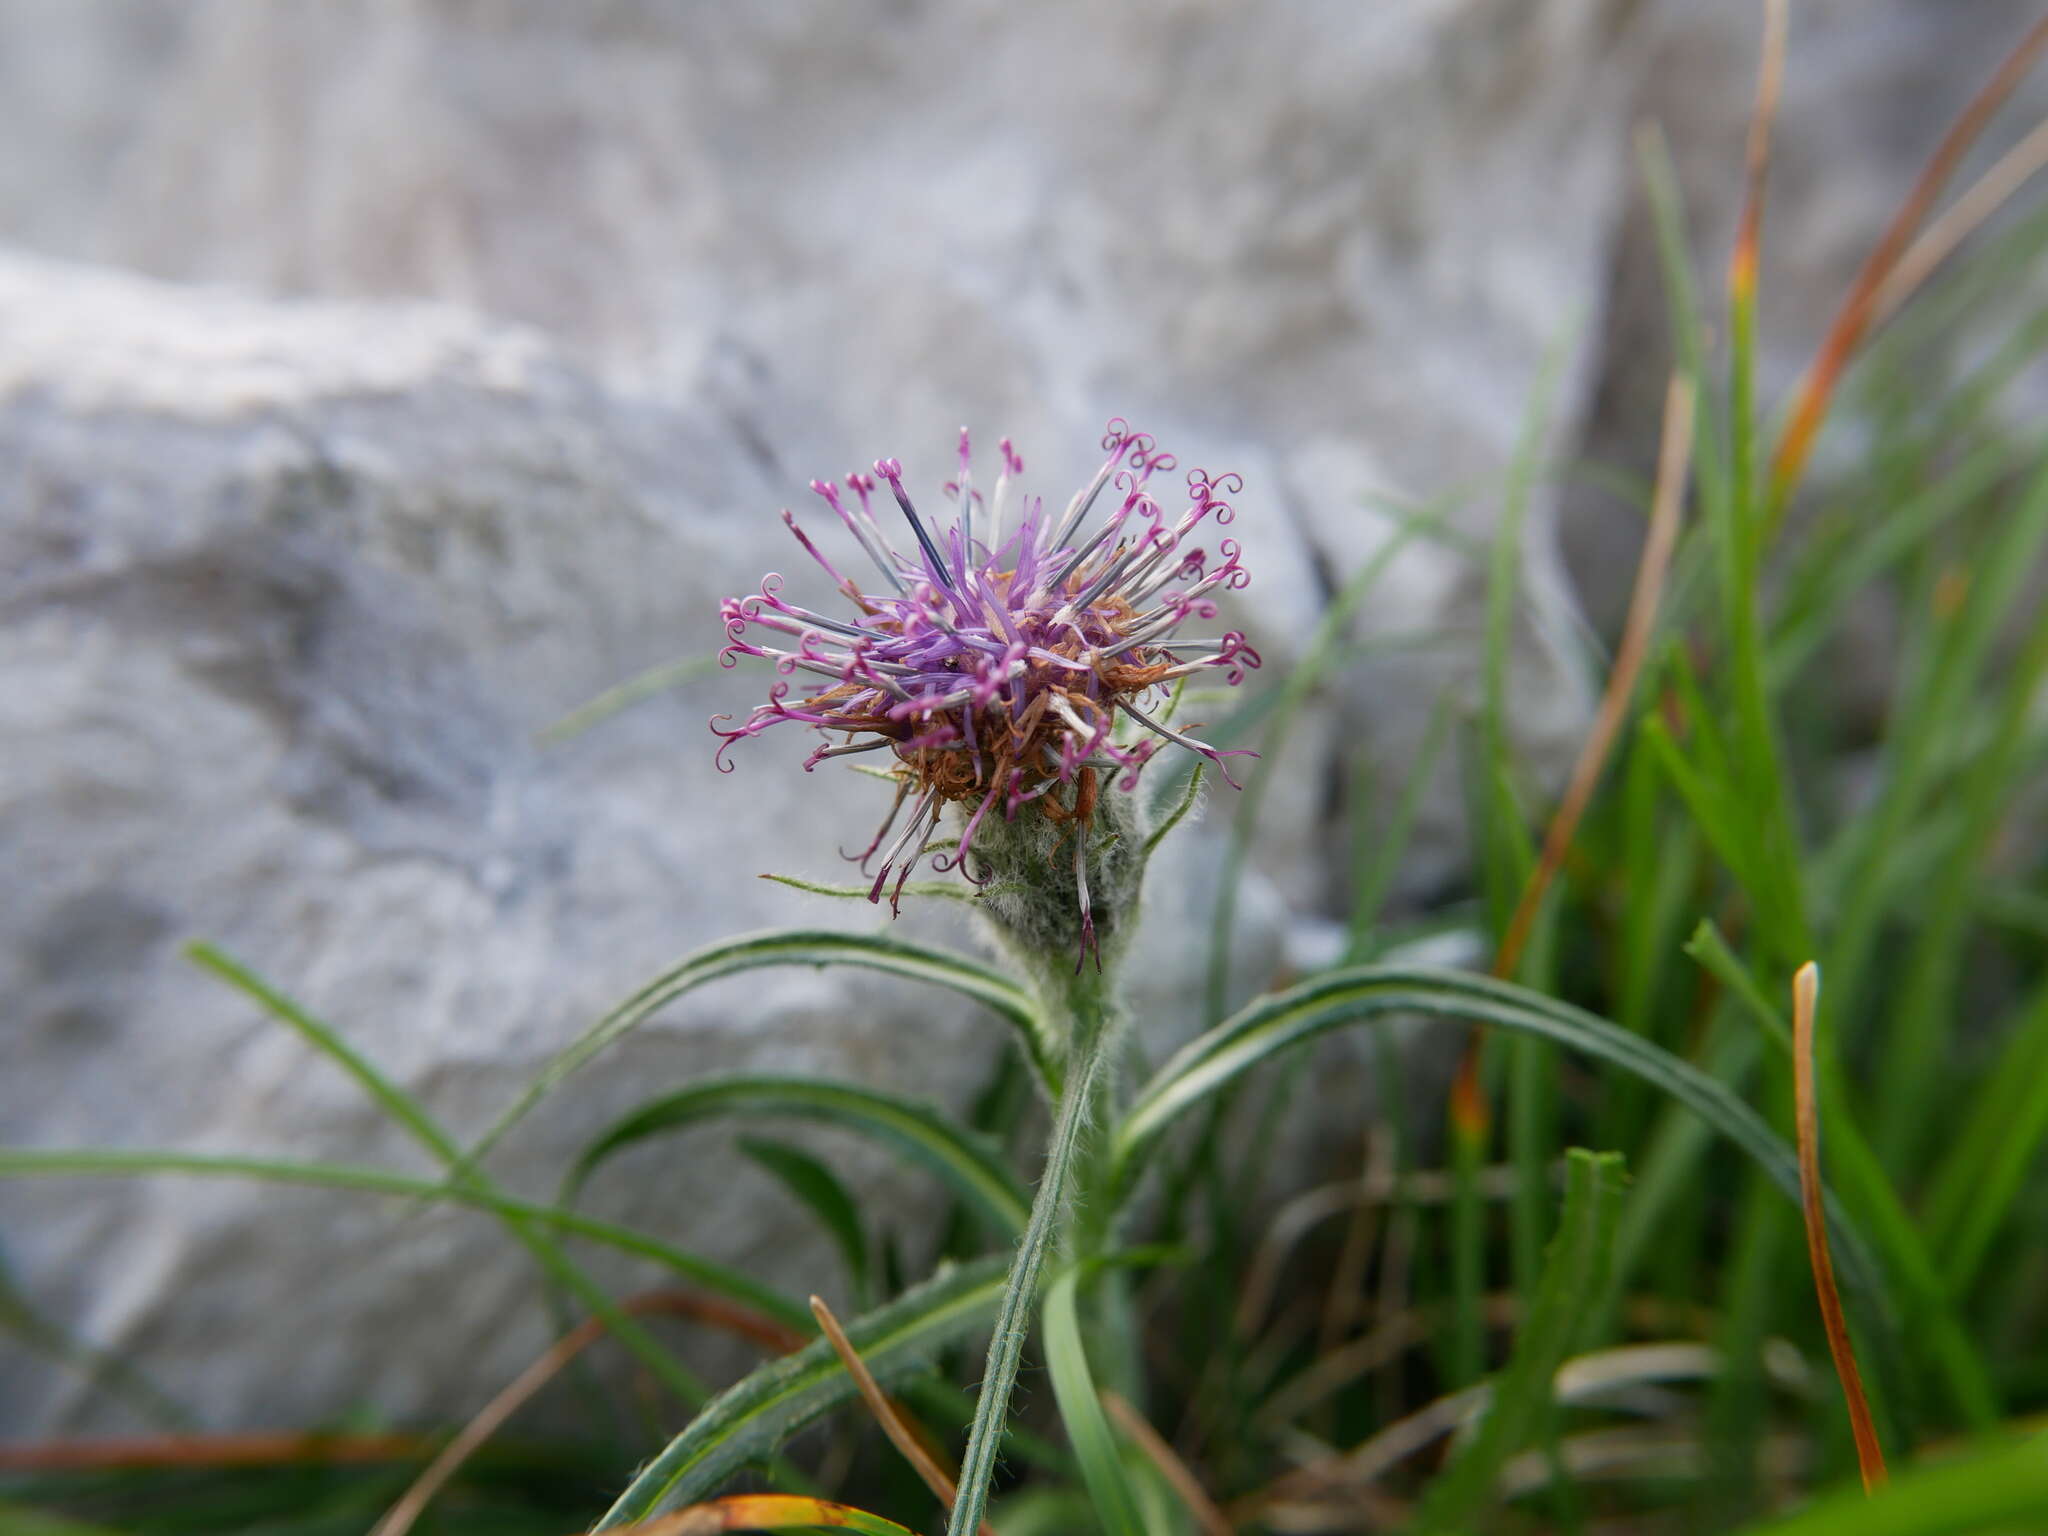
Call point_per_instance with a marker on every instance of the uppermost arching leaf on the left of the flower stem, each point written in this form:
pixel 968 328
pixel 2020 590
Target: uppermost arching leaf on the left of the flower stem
pixel 790 947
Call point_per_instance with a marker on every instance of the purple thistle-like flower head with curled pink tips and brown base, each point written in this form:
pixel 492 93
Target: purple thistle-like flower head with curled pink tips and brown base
pixel 1005 665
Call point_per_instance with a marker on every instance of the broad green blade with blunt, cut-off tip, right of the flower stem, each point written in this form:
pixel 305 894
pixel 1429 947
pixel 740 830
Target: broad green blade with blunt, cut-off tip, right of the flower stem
pixel 1576 1267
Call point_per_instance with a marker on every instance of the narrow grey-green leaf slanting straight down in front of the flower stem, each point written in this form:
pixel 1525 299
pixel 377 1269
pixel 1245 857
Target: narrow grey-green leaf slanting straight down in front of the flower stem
pixel 1089 1048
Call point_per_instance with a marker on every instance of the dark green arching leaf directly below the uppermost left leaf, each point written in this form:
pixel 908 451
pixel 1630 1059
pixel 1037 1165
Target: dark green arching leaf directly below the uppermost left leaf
pixel 964 1160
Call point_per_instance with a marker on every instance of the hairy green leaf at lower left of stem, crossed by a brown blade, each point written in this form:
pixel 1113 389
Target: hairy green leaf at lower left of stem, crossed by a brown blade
pixel 763 1410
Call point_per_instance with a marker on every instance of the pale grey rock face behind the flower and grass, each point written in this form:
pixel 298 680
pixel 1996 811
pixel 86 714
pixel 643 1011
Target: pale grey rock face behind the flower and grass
pixel 382 380
